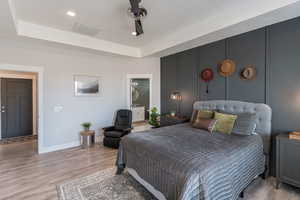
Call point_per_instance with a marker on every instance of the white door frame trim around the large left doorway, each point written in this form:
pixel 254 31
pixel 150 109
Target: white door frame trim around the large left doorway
pixel 40 97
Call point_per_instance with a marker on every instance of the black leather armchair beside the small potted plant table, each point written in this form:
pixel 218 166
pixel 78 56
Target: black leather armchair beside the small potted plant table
pixel 122 127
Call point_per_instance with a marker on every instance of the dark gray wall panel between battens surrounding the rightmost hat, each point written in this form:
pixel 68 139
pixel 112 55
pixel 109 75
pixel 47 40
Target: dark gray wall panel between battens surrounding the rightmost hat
pixel 247 49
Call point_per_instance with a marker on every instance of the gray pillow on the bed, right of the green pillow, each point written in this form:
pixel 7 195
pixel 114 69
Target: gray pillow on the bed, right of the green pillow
pixel 245 124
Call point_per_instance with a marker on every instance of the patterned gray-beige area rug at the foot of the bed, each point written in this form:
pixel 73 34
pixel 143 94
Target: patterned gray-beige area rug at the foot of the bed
pixel 104 185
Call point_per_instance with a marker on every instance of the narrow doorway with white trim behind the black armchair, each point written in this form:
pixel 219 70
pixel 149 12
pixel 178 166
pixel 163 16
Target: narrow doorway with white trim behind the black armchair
pixel 139 96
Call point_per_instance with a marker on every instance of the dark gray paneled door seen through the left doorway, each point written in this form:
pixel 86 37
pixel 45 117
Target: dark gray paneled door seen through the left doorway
pixel 16 108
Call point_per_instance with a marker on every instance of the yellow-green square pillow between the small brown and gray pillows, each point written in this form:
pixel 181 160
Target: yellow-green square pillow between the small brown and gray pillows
pixel 225 122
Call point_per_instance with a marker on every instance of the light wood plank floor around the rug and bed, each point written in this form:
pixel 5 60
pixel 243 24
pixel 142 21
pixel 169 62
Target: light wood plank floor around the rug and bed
pixel 24 175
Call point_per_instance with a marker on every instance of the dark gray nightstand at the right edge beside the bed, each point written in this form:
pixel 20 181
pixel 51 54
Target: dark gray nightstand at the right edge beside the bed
pixel 287 160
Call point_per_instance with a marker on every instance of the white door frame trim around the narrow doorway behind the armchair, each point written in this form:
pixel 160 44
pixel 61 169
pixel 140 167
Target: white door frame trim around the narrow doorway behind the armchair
pixel 128 93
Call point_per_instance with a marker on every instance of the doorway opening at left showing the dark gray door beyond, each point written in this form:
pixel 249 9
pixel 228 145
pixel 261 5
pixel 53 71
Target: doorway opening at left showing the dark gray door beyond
pixel 18 107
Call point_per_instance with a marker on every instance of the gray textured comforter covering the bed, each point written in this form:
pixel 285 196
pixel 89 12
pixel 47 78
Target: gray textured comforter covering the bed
pixel 185 163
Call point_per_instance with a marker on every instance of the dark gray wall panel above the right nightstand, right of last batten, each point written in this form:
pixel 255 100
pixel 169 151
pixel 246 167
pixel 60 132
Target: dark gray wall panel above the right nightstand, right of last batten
pixel 285 75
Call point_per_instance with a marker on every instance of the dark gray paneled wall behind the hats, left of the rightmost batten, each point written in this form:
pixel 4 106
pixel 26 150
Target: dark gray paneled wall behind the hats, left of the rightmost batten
pixel 181 72
